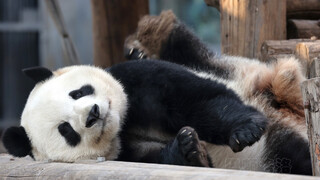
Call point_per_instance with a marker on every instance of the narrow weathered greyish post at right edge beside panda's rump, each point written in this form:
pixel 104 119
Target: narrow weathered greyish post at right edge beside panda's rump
pixel 311 99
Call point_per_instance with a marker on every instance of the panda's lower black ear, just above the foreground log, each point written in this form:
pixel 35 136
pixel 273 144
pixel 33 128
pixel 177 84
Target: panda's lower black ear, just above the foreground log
pixel 16 141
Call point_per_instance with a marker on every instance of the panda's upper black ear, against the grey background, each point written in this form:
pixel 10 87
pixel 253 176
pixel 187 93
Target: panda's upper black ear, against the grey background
pixel 37 73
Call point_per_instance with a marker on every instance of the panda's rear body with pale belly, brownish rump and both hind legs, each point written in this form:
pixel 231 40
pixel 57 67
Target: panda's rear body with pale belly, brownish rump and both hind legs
pixel 272 88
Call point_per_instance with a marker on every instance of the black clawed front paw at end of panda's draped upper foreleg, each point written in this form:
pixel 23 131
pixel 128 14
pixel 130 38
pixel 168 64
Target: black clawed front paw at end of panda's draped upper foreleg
pixel 247 132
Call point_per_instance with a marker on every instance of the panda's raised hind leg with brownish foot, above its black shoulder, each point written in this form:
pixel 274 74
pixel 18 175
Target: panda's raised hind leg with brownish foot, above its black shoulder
pixel 165 37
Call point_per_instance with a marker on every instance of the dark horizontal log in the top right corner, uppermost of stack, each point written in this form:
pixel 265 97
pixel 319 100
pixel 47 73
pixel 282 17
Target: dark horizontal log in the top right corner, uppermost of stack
pixel 303 9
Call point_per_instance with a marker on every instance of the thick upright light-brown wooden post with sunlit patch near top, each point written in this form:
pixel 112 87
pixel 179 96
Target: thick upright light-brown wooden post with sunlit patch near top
pixel 246 24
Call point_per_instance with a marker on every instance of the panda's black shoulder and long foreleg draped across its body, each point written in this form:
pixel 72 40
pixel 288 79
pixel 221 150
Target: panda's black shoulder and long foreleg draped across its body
pixel 167 97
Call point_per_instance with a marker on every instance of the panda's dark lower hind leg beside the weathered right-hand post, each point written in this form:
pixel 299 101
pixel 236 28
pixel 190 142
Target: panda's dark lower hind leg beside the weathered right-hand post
pixel 287 151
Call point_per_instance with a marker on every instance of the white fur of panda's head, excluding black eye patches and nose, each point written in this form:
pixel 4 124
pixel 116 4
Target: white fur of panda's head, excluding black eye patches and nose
pixel 49 105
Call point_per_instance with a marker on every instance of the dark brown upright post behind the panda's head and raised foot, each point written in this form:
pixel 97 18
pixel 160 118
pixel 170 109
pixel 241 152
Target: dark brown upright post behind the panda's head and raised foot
pixel 113 20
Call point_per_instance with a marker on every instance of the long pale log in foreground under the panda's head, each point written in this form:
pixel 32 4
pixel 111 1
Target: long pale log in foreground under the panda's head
pixel 24 168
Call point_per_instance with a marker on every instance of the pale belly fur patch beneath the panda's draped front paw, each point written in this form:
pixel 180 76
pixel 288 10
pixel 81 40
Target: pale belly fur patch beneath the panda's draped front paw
pixel 250 158
